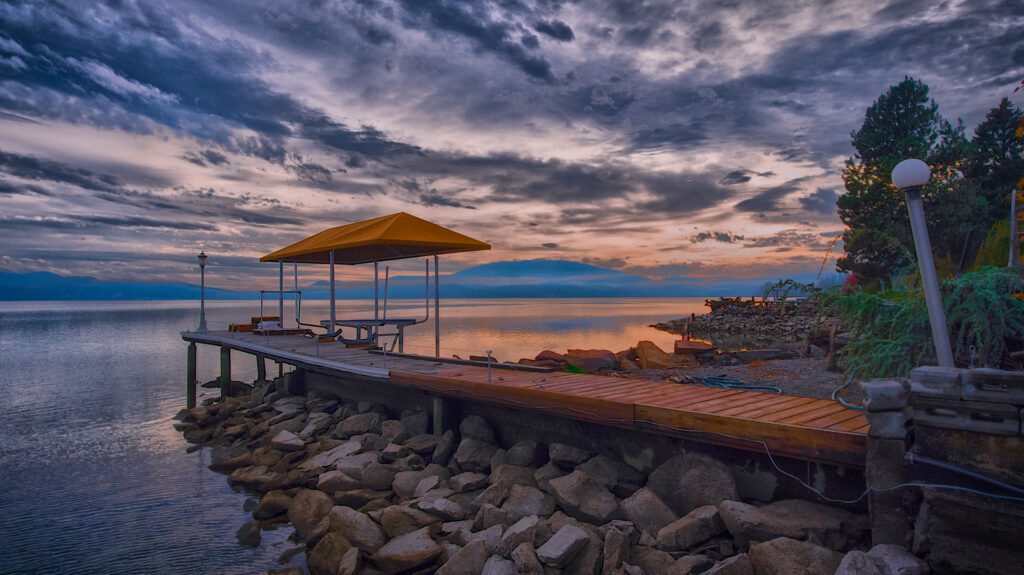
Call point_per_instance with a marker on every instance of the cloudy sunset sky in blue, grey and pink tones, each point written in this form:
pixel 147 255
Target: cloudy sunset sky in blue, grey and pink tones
pixel 665 139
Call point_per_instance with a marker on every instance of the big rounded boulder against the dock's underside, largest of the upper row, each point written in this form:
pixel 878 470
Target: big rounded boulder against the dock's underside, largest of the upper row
pixel 691 481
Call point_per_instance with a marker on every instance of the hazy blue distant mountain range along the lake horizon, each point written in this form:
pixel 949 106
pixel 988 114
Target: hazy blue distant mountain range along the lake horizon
pixel 530 279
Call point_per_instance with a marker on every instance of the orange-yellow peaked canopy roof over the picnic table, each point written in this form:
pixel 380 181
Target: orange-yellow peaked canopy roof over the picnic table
pixel 389 238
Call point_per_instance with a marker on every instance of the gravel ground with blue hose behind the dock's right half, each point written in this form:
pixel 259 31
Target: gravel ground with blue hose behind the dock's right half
pixel 806 377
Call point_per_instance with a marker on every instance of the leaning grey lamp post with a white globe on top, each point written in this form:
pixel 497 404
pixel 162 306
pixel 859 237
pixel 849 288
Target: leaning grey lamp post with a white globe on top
pixel 911 176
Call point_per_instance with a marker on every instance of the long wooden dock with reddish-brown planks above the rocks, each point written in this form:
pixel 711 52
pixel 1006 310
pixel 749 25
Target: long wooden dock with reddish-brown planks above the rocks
pixel 804 428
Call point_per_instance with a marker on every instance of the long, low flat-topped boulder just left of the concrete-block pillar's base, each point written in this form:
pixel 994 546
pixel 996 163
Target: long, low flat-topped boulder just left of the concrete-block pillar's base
pixel 796 519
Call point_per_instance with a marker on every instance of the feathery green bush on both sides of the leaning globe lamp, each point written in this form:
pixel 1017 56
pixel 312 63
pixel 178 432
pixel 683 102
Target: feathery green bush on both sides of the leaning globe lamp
pixel 890 333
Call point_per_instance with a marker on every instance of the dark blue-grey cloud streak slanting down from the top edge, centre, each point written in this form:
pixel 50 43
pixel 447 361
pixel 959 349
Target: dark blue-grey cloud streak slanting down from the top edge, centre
pixel 474 23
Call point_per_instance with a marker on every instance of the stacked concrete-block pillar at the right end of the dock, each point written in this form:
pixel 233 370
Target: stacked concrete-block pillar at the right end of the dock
pixel 886 465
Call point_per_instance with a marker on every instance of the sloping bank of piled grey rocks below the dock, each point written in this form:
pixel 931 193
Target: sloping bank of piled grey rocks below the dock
pixel 370 492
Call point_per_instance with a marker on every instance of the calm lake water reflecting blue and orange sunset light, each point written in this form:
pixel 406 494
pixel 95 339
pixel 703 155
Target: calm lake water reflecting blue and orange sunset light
pixel 94 479
